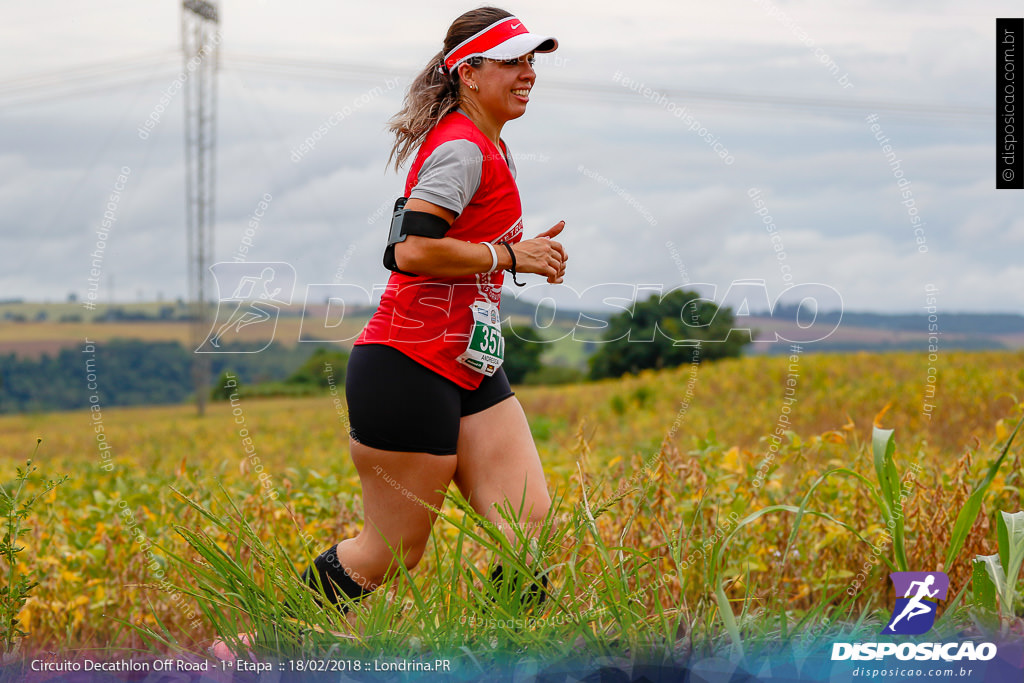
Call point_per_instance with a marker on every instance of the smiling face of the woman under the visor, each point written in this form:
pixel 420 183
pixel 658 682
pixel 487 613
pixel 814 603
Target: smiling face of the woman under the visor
pixel 502 87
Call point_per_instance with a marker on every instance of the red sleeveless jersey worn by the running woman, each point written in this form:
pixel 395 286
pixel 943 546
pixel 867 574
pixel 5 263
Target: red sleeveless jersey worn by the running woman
pixel 429 319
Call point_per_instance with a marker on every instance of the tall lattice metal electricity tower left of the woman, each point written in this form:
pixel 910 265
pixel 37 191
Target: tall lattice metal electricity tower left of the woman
pixel 200 47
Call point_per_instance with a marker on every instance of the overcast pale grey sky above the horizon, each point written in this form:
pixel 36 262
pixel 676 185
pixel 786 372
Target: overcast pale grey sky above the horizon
pixel 647 200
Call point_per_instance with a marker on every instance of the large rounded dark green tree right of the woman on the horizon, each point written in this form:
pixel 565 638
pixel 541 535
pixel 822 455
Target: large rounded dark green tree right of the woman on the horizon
pixel 649 336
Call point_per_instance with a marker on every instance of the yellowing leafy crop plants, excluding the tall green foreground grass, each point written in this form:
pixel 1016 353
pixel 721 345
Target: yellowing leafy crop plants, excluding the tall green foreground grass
pixel 91 560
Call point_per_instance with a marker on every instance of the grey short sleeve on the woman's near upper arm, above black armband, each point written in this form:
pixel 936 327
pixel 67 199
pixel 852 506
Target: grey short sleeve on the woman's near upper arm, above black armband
pixel 450 177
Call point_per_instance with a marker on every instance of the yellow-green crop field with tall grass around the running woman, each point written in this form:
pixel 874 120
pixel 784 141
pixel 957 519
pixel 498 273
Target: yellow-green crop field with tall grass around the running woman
pixel 654 475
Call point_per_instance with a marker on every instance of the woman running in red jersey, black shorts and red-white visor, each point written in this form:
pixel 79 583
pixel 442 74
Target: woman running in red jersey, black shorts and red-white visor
pixel 429 401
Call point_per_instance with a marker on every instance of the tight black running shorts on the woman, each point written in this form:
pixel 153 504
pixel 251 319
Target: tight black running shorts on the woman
pixel 395 404
